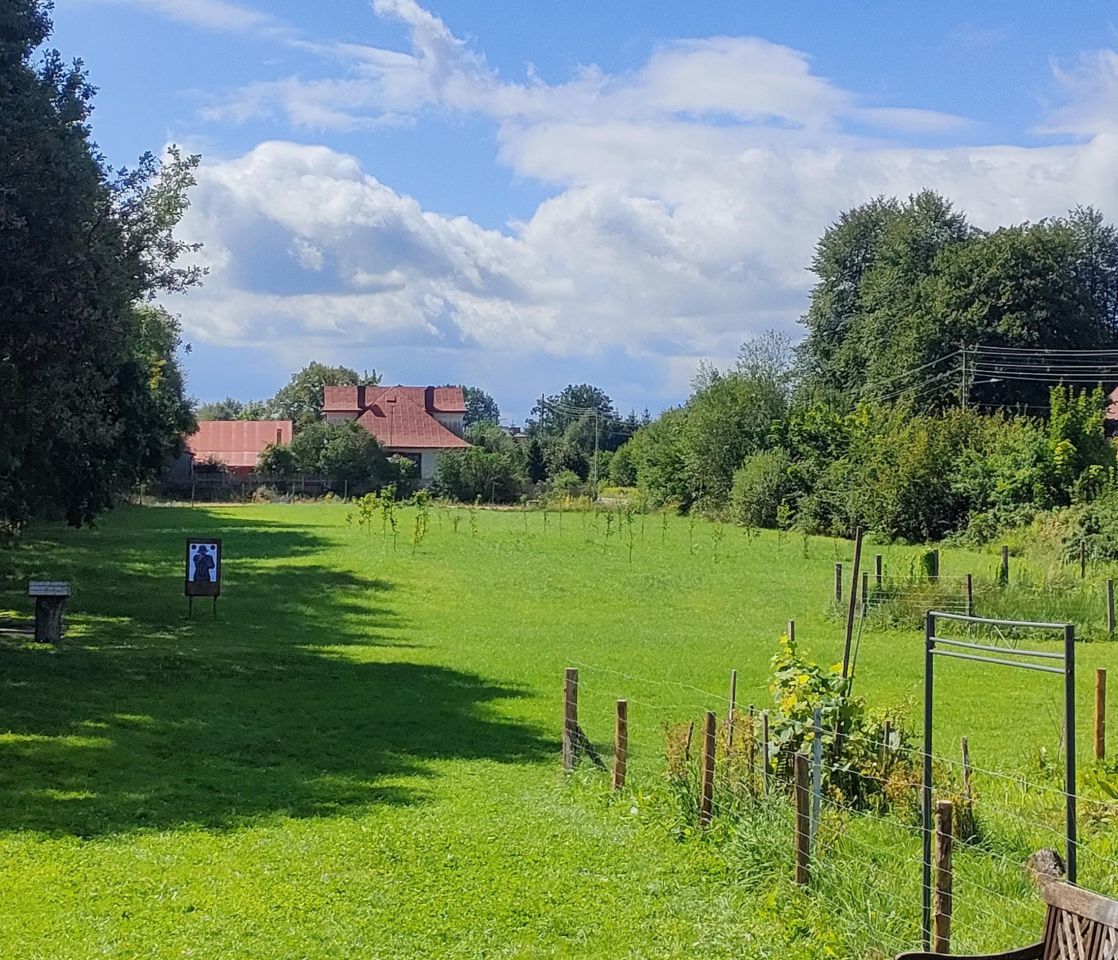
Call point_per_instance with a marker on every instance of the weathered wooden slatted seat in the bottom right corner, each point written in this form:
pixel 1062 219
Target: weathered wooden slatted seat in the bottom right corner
pixel 1081 926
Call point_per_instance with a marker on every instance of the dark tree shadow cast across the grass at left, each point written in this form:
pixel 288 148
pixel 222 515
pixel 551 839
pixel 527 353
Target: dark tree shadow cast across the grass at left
pixel 296 702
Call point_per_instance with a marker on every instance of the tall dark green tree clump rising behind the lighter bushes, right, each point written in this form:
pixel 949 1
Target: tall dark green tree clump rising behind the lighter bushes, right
pixel 903 287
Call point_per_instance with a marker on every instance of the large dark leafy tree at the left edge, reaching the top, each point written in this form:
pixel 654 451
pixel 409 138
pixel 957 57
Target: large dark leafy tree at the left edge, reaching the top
pixel 91 397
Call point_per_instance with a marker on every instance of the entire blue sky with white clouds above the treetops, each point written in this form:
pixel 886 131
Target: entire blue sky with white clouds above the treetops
pixel 520 196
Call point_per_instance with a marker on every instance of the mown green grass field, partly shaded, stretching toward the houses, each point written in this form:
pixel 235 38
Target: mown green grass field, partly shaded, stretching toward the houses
pixel 361 756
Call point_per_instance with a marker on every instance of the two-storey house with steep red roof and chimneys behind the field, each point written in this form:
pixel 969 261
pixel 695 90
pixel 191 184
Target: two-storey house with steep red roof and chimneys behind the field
pixel 420 423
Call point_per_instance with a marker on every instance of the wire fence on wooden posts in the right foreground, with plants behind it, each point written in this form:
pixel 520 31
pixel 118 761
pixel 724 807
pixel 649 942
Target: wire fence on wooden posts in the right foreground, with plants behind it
pixel 866 866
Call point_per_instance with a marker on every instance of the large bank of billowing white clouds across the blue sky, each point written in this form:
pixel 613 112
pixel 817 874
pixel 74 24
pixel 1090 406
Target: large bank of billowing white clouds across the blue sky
pixel 688 196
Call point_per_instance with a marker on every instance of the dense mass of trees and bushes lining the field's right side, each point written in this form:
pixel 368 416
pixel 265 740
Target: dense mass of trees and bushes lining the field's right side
pixel 877 420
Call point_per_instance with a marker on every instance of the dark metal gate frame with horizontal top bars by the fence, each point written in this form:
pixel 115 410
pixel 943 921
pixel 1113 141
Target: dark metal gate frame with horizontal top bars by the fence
pixel 1067 669
